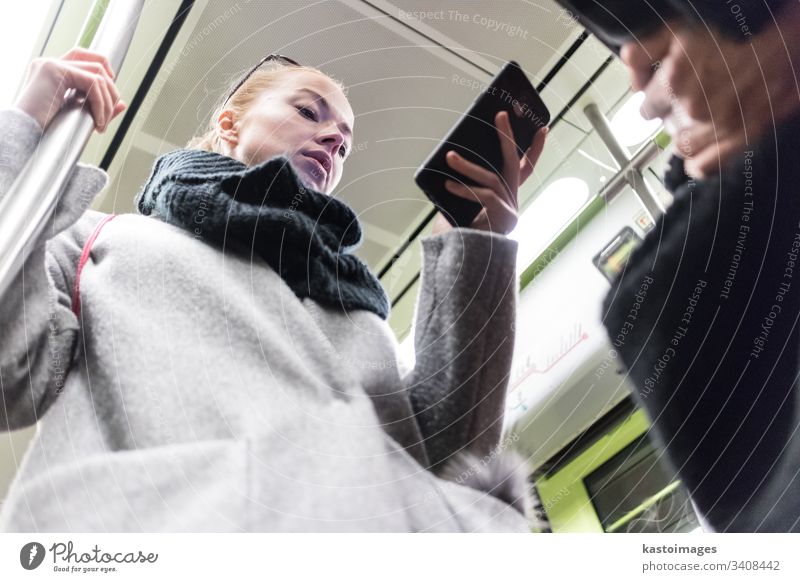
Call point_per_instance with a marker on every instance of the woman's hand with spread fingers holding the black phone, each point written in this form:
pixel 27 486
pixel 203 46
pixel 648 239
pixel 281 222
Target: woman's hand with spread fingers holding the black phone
pixel 497 193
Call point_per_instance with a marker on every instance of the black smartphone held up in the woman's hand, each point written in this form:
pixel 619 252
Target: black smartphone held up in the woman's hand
pixel 475 138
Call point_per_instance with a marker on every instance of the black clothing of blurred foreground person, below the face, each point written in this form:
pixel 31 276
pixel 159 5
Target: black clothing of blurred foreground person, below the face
pixel 706 320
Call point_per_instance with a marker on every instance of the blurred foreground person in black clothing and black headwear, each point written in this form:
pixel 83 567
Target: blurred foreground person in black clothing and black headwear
pixel 714 348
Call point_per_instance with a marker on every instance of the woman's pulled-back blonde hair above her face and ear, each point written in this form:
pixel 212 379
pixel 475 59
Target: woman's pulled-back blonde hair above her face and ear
pixel 266 77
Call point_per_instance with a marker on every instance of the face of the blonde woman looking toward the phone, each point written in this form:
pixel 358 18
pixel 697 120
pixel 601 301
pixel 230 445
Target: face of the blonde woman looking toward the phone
pixel 304 116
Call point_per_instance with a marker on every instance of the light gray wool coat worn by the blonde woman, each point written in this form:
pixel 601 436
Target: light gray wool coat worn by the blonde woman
pixel 195 392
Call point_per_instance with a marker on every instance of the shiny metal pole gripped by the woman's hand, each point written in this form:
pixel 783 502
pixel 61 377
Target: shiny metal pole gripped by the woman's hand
pixel 30 202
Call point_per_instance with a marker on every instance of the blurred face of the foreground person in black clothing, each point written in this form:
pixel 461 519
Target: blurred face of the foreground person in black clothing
pixel 715 94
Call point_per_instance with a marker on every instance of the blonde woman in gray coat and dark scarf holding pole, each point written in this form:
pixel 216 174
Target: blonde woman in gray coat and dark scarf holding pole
pixel 220 361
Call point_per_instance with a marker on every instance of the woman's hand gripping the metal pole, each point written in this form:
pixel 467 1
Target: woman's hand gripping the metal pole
pixel 86 71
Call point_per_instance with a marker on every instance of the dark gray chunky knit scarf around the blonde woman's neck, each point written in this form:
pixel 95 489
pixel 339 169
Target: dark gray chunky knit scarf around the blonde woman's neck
pixel 305 236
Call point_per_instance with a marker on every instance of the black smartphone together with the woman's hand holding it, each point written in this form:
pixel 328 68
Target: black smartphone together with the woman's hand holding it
pixel 489 143
